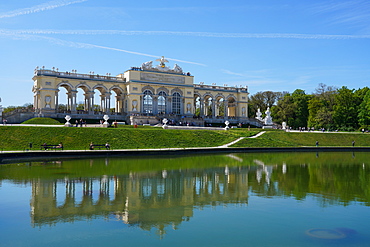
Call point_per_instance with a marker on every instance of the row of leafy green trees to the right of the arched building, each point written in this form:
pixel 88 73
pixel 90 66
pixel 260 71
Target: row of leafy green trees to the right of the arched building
pixel 328 107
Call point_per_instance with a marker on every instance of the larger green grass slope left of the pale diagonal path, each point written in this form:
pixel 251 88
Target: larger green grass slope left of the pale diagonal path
pixel 19 137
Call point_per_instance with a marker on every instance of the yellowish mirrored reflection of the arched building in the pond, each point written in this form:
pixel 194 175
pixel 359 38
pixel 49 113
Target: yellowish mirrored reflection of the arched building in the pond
pixel 147 200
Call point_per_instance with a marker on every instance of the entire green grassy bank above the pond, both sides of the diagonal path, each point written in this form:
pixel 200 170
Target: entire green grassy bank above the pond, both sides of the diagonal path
pixel 18 138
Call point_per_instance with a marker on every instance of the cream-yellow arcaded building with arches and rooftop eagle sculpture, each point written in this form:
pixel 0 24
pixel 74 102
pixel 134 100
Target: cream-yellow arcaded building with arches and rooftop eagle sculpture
pixel 141 95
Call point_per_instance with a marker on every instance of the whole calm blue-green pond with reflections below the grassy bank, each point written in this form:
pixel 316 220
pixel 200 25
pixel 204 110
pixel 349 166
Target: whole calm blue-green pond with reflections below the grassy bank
pixel 274 199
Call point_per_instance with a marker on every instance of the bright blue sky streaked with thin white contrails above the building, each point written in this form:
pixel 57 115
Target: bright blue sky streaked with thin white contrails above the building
pixel 265 45
